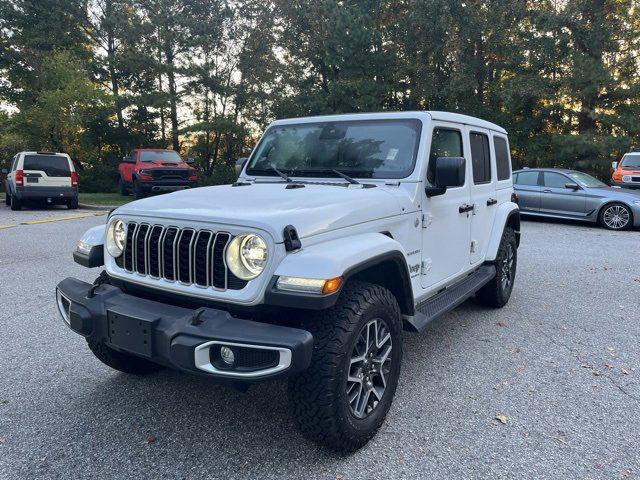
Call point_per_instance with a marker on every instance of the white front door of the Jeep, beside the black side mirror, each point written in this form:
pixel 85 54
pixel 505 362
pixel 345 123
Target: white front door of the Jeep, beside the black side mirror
pixel 447 231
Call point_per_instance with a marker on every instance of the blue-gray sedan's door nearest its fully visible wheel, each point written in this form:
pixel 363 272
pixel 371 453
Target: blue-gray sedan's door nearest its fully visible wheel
pixel 557 199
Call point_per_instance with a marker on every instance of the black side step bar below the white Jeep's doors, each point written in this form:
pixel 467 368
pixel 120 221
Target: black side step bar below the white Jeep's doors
pixel 449 298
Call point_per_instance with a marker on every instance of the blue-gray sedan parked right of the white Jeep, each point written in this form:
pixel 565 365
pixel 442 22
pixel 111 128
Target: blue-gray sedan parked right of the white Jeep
pixel 563 193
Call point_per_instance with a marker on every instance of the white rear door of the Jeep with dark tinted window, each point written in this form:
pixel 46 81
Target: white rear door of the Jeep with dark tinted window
pixel 483 191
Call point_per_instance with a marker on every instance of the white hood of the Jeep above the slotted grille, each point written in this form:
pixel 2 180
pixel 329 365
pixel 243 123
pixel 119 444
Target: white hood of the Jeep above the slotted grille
pixel 313 209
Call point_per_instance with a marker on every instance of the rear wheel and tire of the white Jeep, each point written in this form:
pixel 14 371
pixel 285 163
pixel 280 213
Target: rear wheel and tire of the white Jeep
pixel 497 292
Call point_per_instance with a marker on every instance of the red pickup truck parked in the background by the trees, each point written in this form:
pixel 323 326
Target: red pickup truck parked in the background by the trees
pixel 152 170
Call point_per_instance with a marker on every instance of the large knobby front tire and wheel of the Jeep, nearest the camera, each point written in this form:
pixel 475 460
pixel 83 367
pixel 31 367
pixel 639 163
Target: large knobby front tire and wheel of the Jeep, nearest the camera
pixel 341 400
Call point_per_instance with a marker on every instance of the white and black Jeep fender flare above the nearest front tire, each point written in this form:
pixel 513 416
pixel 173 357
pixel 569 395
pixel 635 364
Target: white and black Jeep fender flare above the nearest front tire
pixel 353 257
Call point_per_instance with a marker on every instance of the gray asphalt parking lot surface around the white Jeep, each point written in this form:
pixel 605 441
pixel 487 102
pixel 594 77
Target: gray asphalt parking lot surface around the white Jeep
pixel 547 387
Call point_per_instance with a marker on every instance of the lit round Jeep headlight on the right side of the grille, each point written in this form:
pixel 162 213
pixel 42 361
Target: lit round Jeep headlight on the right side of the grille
pixel 247 256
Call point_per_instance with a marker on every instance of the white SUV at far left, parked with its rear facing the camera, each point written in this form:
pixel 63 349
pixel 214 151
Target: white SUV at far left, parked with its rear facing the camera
pixel 41 177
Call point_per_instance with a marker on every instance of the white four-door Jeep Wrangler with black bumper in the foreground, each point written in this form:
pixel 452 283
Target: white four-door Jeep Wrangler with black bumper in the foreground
pixel 341 232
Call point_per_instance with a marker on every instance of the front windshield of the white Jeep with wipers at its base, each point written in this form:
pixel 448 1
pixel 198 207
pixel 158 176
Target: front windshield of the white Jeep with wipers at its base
pixel 365 148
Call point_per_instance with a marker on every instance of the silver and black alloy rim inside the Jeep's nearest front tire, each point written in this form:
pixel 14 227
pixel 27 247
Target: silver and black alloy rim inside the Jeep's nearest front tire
pixel 369 368
